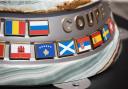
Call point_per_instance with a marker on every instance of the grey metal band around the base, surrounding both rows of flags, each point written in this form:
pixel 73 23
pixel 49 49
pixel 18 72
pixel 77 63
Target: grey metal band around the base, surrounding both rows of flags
pixel 56 32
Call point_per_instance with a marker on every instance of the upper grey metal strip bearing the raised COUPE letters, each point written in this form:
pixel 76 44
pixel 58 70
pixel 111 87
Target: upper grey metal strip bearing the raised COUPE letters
pixel 55 24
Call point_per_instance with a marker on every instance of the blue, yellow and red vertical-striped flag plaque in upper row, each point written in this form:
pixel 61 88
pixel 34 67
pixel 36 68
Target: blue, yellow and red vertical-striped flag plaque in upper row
pixel 15 28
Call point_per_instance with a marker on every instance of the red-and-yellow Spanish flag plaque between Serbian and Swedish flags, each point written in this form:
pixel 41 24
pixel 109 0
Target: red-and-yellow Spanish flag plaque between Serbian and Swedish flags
pixel 96 39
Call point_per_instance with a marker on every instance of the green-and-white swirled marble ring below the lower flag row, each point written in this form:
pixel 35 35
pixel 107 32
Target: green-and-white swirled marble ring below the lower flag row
pixel 23 73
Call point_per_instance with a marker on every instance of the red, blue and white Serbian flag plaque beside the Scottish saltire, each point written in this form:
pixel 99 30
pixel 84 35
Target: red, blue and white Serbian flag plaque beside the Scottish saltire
pixel 83 44
